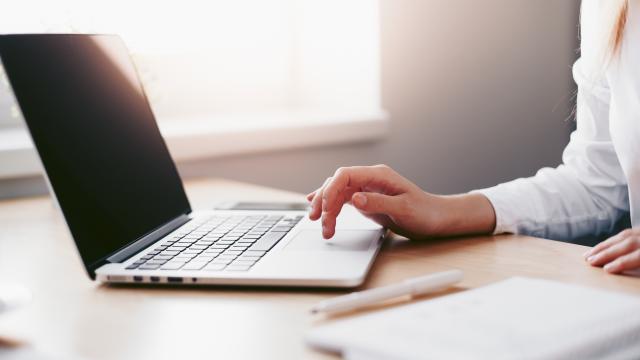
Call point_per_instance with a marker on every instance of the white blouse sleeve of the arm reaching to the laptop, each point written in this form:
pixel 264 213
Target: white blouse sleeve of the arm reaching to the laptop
pixel 587 194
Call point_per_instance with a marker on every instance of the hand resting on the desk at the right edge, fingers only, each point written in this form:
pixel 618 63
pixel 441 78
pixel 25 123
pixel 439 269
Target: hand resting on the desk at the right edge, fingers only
pixel 618 253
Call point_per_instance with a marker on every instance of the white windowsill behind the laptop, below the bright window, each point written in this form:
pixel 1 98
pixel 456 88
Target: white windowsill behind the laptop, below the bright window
pixel 225 135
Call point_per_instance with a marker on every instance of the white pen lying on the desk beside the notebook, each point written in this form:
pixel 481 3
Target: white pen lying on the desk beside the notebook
pixel 415 286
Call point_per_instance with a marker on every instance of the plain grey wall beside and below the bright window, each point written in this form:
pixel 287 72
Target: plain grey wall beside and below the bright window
pixel 478 93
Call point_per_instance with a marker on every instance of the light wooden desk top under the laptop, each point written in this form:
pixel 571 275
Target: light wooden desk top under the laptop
pixel 74 317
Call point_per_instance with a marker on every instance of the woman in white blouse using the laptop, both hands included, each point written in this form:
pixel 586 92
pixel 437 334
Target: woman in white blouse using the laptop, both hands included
pixel 597 185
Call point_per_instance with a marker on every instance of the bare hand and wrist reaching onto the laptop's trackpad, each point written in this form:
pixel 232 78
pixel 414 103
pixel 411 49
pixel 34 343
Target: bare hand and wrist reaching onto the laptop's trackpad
pixel 396 203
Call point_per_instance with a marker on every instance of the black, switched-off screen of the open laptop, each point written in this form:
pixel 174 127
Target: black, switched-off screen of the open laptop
pixel 98 140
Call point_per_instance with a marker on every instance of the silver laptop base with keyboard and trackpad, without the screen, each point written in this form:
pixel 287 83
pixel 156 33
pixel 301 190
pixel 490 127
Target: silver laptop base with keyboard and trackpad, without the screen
pixel 300 258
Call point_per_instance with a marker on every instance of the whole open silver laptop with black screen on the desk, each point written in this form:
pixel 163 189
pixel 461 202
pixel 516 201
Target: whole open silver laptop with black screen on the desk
pixel 122 198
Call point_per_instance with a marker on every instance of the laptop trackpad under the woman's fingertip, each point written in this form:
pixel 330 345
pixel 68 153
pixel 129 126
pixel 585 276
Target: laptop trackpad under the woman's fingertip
pixel 343 240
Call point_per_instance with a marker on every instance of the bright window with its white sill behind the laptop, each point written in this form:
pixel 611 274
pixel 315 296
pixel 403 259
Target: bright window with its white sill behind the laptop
pixel 232 68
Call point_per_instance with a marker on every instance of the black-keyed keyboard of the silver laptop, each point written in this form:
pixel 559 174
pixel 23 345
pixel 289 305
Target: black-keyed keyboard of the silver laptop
pixel 231 243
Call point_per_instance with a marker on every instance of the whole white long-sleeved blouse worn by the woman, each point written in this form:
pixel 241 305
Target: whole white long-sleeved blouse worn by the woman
pixel 599 180
